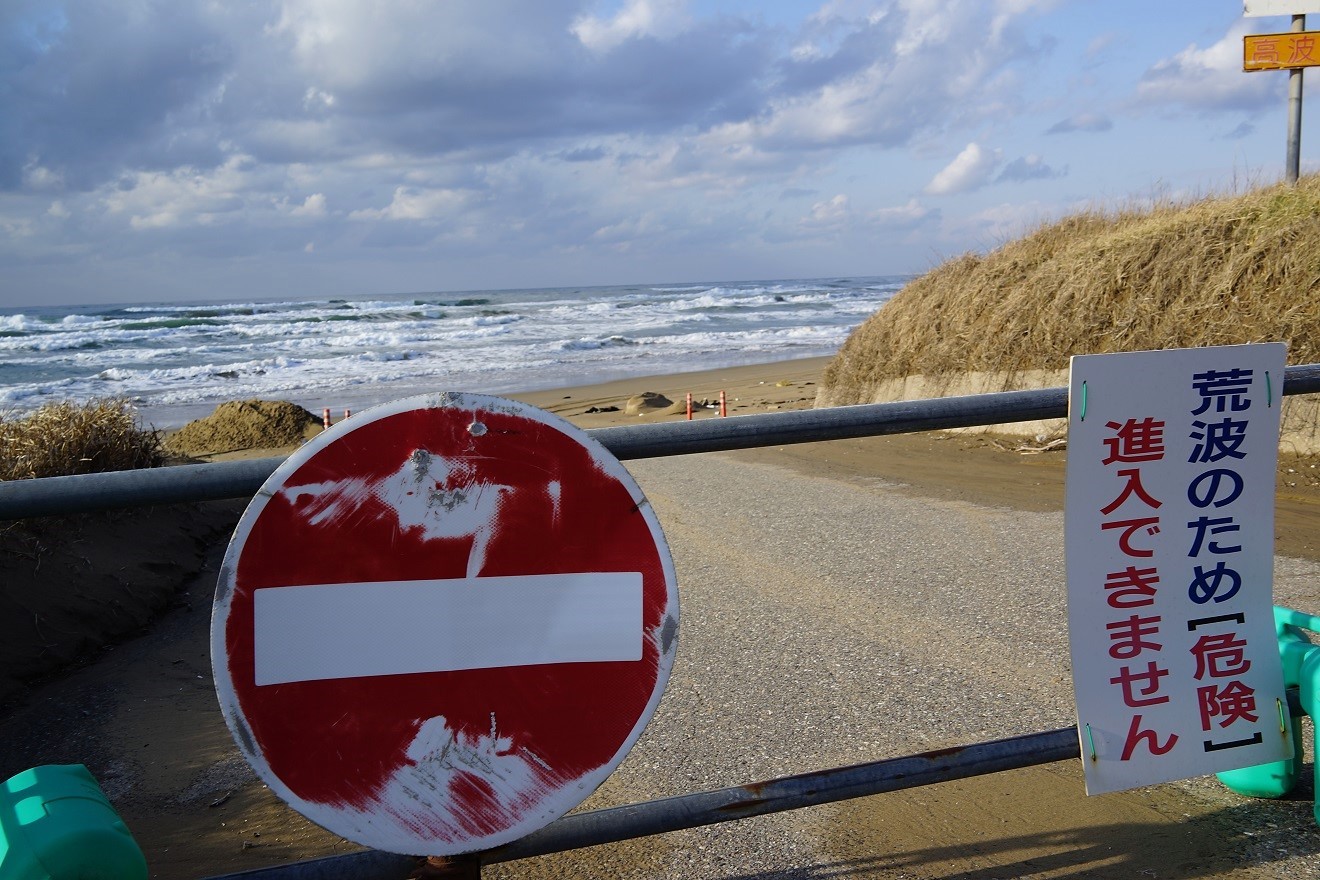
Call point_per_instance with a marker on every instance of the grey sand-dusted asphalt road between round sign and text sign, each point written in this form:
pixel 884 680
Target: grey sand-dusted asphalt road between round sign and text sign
pixel 828 623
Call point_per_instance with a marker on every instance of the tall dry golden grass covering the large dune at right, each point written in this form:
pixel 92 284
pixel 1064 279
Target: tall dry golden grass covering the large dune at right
pixel 1218 271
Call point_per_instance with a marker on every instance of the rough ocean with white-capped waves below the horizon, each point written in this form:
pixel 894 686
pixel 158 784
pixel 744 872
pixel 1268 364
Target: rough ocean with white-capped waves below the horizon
pixel 178 361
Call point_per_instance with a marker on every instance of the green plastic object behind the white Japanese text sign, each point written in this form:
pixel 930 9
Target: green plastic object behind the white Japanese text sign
pixel 1302 671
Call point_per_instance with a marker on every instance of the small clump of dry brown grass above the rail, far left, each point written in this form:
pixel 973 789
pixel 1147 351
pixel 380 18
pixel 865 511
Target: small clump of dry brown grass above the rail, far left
pixel 69 439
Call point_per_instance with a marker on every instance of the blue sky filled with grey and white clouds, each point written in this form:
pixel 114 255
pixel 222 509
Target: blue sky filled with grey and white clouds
pixel 212 150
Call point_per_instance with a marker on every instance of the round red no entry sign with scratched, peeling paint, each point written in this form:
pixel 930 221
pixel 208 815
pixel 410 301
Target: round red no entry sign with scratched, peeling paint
pixel 442 625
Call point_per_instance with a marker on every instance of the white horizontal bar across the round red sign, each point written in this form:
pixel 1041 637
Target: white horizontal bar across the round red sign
pixel 399 627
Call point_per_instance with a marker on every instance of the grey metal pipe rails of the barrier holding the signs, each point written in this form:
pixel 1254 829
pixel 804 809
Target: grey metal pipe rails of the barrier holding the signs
pixel 242 480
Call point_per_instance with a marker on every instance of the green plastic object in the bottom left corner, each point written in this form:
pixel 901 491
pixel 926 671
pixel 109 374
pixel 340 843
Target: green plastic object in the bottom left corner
pixel 56 824
